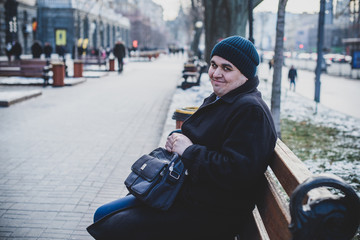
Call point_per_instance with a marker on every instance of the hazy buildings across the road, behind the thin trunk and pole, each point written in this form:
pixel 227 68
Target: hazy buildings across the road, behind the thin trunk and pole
pixel 301 30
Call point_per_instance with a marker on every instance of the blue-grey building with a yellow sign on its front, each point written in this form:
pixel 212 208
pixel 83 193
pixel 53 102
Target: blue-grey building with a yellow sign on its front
pixel 88 25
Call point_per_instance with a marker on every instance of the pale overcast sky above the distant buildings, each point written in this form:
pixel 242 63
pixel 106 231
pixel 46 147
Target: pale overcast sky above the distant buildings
pixel 171 7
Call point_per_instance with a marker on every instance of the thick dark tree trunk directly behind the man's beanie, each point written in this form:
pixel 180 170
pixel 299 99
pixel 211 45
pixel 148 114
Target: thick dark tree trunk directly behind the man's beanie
pixel 224 18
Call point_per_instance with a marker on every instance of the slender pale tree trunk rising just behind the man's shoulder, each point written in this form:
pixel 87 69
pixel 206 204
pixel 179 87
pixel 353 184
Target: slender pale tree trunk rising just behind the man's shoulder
pixel 278 63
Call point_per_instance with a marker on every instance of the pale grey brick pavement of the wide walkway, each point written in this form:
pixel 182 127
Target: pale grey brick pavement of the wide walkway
pixel 68 151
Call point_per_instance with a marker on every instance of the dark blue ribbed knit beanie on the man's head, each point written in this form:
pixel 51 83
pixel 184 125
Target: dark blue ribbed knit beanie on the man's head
pixel 240 52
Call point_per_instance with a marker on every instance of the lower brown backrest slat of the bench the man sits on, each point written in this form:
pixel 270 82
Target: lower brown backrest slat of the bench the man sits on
pixel 274 211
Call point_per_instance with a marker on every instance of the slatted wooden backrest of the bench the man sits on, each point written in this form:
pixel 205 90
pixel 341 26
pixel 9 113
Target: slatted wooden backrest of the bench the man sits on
pixel 271 215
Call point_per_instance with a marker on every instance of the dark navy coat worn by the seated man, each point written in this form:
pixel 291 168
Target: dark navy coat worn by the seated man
pixel 234 138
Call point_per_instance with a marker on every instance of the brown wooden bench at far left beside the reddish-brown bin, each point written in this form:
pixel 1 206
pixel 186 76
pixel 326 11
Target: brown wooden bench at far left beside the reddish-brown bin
pixel 26 68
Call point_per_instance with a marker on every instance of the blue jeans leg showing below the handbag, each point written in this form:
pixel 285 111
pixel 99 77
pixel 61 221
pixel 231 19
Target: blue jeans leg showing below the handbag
pixel 122 203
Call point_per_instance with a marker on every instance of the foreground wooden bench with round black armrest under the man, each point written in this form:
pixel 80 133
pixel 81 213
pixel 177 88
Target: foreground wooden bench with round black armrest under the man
pixel 280 204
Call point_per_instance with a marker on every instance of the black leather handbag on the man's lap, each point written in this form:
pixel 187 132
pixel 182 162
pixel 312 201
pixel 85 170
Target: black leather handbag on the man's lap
pixel 156 178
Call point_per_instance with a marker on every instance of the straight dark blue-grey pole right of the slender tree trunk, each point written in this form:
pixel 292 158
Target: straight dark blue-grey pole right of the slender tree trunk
pixel 320 44
